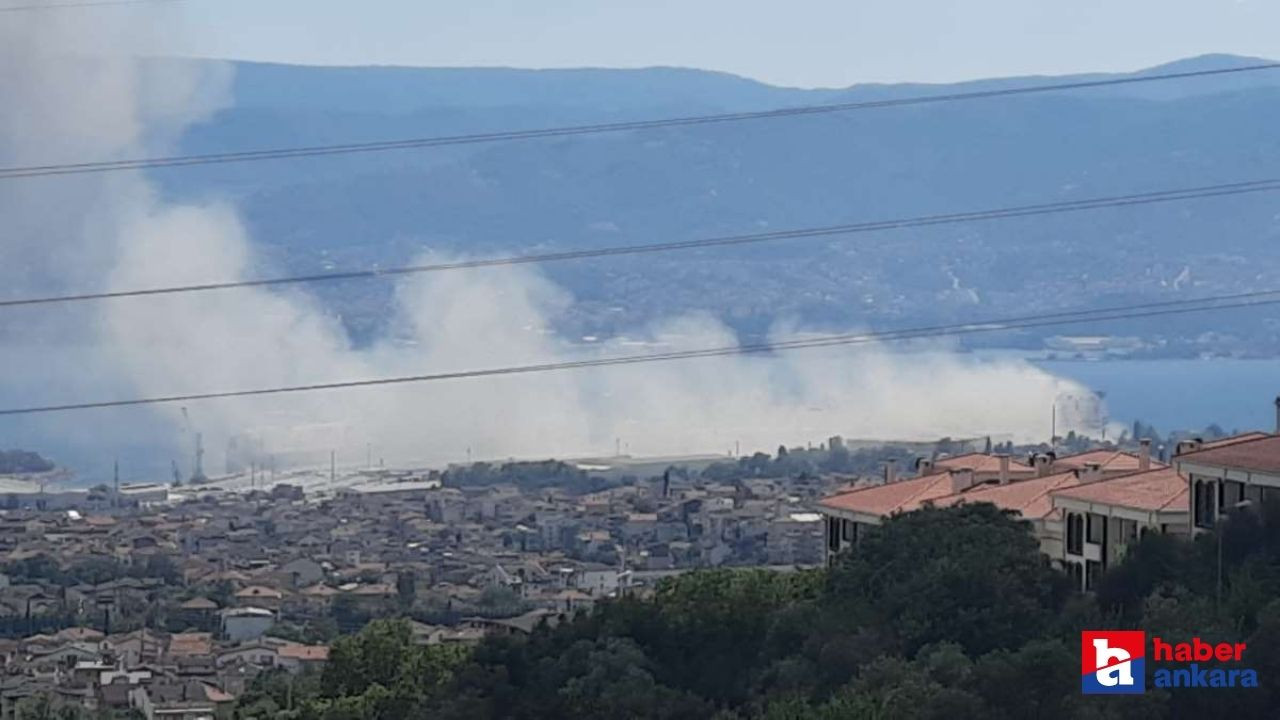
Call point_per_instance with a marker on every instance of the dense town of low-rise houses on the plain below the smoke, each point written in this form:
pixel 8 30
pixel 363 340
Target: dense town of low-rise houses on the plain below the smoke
pixel 170 601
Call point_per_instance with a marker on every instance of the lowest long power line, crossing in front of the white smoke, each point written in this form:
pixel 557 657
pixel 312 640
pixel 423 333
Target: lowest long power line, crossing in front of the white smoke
pixel 1052 320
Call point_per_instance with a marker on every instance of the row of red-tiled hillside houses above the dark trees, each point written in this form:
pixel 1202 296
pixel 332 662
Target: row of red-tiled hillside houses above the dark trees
pixel 1086 509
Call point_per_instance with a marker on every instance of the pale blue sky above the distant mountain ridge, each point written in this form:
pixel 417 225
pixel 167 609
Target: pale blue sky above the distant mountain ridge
pixel 799 43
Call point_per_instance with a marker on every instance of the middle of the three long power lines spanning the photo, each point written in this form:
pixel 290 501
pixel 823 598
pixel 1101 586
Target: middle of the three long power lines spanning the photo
pixel 799 234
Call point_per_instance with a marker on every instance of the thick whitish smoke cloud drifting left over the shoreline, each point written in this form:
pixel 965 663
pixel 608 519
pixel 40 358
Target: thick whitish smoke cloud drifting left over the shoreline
pixel 118 233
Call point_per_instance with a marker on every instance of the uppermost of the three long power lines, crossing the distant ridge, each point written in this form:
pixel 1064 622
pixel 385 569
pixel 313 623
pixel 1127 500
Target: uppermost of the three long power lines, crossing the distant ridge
pixel 423 143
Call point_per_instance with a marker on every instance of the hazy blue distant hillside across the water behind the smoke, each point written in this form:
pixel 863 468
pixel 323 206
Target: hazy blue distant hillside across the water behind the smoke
pixel 700 181
